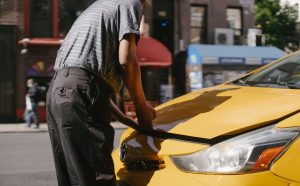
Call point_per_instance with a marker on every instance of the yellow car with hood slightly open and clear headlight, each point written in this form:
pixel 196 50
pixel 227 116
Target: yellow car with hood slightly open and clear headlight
pixel 241 133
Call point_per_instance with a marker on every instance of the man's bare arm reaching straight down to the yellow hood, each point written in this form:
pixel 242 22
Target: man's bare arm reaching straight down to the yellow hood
pixel 132 80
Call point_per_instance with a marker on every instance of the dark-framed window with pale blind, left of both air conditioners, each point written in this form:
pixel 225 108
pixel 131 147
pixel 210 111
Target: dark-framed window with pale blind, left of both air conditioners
pixel 197 24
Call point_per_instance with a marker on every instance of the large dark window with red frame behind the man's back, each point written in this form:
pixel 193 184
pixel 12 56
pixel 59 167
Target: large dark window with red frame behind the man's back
pixel 51 18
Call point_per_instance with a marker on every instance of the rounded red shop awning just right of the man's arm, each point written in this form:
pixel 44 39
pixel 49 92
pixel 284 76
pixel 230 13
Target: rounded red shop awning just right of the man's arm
pixel 151 52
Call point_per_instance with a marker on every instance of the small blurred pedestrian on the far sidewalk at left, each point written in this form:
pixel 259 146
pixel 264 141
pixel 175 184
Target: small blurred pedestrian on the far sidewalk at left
pixel 32 97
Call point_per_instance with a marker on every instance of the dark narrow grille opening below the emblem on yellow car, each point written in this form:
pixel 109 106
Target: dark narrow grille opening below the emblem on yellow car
pixel 145 165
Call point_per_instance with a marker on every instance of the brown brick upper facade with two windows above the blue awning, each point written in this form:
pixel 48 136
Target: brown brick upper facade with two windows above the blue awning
pixel 197 21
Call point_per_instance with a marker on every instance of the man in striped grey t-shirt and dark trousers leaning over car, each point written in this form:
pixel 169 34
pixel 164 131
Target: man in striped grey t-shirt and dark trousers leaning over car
pixel 97 55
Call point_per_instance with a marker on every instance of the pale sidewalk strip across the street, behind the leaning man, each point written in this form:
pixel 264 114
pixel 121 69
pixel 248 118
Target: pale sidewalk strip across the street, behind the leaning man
pixel 20 127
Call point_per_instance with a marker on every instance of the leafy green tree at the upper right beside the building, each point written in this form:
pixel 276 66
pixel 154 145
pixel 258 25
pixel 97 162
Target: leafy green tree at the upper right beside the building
pixel 276 21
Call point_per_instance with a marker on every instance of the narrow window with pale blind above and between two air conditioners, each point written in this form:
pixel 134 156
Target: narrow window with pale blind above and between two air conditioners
pixel 234 20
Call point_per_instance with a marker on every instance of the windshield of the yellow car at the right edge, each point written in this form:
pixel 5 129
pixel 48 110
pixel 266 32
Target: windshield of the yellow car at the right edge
pixel 284 74
